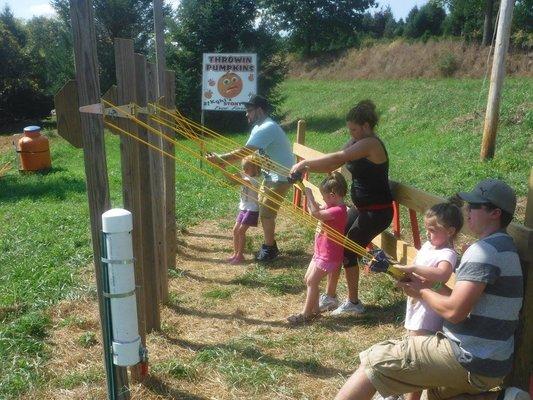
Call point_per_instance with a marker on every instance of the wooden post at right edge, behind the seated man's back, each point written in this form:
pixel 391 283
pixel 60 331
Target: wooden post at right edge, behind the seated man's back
pixel 522 374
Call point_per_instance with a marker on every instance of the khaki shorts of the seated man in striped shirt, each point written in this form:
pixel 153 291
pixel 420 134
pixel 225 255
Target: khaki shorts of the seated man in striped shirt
pixel 421 362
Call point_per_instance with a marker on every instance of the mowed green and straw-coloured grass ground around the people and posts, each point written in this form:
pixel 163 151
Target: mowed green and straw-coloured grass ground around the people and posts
pixel 432 129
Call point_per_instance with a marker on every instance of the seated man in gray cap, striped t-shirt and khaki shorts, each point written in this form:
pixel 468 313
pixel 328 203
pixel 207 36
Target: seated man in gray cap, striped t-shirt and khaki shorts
pixel 474 352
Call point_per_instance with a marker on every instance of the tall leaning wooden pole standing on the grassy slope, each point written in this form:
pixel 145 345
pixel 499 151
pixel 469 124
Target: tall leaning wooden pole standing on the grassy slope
pixel 496 79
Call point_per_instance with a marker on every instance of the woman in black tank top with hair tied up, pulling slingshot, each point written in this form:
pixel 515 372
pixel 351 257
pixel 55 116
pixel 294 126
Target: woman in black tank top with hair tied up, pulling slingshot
pixel 367 160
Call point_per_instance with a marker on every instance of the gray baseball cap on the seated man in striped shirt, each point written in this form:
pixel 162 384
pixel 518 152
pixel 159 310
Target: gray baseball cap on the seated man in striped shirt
pixel 492 191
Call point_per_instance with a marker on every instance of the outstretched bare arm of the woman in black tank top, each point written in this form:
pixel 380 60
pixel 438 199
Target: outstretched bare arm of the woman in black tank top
pixel 329 162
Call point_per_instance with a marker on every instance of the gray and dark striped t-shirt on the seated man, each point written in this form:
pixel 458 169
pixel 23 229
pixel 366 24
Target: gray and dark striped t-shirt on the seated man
pixel 484 341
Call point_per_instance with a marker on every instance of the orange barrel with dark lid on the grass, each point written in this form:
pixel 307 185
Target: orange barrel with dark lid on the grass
pixel 34 150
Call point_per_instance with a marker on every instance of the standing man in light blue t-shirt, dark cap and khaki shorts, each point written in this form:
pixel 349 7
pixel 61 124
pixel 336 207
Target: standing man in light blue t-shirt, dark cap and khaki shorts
pixel 269 140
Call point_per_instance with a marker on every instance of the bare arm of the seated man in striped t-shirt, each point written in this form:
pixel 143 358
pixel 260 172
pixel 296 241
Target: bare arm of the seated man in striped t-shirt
pixel 453 305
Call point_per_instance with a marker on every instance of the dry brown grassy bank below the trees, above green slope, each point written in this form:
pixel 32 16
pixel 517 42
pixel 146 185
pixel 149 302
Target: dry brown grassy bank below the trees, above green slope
pixel 400 60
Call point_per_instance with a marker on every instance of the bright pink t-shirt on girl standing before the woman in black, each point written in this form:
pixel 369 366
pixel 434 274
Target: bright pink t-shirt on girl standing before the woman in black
pixel 326 249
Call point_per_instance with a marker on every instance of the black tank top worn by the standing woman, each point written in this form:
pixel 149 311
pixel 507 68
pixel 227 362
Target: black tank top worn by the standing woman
pixel 370 181
